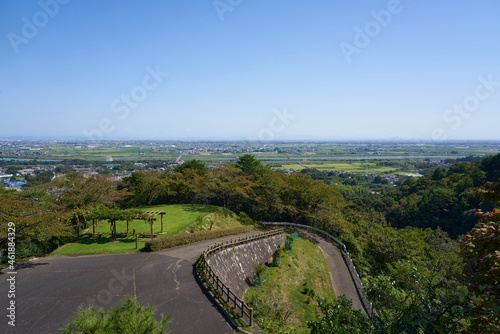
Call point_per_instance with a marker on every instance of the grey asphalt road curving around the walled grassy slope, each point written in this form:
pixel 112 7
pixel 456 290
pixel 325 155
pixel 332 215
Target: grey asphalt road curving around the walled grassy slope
pixel 50 290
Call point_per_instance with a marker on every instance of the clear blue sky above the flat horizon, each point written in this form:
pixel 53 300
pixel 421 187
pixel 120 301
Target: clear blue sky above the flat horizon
pixel 421 71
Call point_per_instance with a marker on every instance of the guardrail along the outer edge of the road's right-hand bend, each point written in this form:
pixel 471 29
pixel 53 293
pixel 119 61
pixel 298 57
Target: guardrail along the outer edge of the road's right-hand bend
pixel 367 305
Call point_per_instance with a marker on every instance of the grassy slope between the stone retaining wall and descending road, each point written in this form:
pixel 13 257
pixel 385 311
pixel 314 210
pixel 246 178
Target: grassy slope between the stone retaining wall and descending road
pixel 288 289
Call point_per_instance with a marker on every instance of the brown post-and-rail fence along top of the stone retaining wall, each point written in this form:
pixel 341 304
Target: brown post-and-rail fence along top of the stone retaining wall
pixel 226 295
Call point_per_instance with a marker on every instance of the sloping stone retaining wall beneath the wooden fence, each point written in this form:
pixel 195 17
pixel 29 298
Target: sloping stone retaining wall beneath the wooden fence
pixel 235 266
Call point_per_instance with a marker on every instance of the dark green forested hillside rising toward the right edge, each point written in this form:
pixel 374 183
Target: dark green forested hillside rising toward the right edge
pixel 444 199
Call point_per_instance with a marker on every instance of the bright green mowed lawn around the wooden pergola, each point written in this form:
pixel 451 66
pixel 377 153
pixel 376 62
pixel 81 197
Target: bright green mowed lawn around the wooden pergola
pixel 177 217
